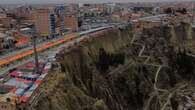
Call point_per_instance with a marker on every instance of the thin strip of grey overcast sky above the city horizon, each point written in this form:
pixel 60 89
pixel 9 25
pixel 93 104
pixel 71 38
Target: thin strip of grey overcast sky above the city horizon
pixel 76 1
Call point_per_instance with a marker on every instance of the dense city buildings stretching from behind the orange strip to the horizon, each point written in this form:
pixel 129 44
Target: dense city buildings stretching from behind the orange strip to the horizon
pixel 48 21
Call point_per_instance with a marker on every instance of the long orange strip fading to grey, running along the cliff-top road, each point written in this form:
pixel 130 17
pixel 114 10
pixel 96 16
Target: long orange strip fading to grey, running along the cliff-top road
pixel 18 56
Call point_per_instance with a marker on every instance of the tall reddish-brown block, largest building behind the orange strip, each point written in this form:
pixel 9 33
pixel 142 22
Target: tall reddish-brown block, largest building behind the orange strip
pixel 44 22
